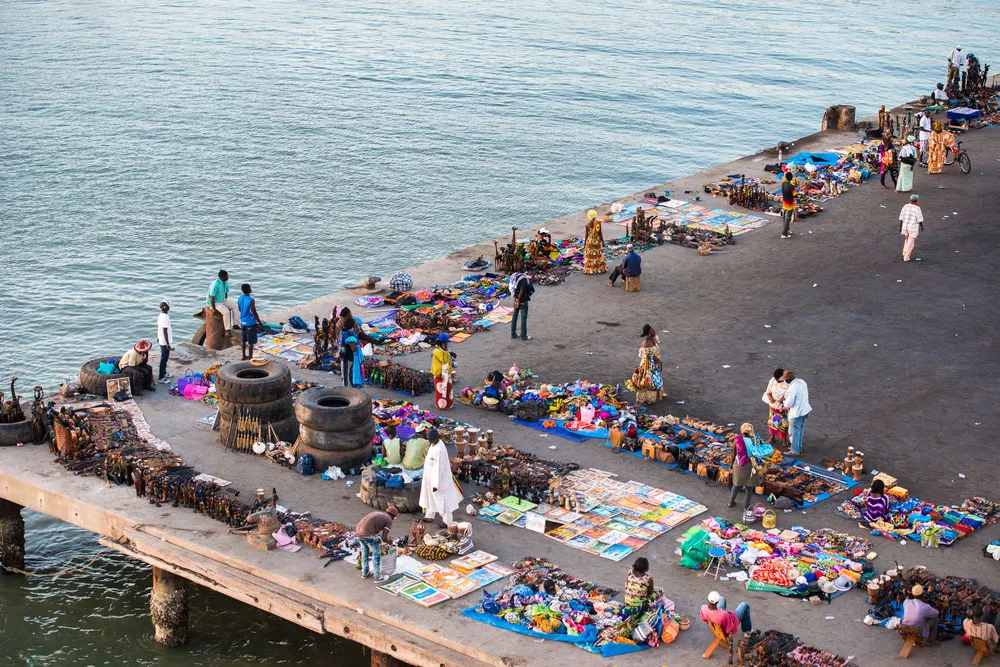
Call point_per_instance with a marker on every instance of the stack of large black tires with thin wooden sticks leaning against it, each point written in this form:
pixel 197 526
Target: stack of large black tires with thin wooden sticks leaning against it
pixel 261 392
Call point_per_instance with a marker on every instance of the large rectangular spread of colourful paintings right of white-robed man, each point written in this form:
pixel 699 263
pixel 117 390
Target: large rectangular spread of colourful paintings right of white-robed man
pixel 590 511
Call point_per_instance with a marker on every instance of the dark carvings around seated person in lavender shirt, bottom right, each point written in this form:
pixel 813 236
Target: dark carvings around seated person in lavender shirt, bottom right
pixel 953 597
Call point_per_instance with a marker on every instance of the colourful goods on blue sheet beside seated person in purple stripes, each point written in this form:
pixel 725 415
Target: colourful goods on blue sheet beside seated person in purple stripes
pixel 931 524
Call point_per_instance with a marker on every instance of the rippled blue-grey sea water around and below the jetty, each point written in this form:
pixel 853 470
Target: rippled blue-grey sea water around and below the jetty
pixel 302 145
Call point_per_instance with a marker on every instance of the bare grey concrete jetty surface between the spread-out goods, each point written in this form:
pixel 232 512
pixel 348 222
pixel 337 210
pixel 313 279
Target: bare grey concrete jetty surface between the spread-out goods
pixel 900 359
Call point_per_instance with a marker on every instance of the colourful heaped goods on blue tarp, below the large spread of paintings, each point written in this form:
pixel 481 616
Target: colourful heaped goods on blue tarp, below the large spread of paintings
pixel 542 601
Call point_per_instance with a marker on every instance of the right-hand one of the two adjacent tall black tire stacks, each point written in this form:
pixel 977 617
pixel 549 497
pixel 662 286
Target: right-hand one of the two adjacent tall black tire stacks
pixel 335 427
